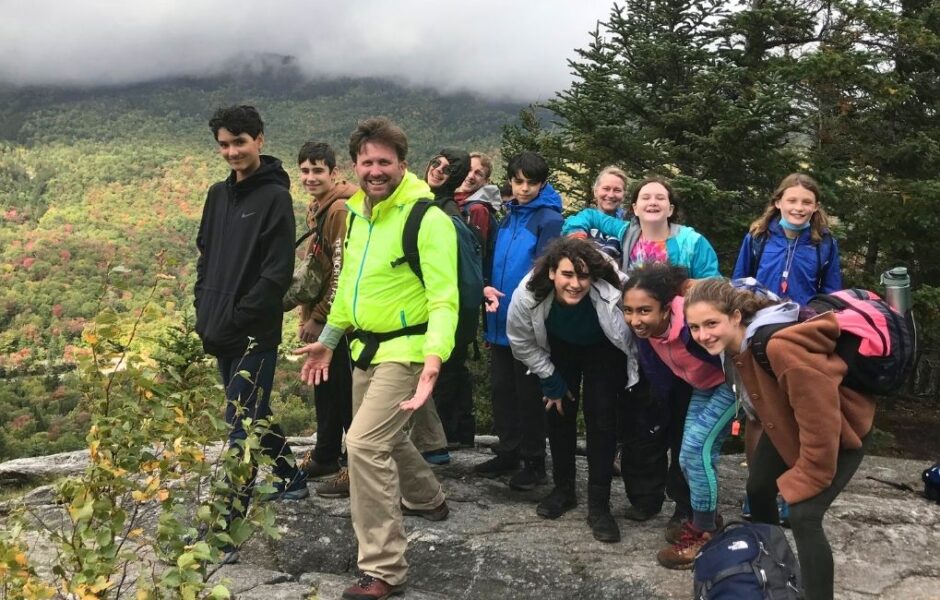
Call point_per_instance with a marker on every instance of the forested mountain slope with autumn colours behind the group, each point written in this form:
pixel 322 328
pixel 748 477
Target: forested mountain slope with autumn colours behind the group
pixel 99 177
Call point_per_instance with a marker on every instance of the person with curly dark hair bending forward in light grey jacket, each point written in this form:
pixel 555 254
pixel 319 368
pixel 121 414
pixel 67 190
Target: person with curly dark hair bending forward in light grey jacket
pixel 565 325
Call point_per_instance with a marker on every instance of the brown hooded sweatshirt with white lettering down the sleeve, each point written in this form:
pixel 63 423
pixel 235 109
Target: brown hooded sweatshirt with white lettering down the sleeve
pixel 328 216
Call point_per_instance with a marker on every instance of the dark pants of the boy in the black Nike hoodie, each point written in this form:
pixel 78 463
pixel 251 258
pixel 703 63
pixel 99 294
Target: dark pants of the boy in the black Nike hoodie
pixel 243 400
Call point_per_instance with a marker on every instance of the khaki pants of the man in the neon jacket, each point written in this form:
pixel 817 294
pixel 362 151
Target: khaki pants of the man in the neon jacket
pixel 379 451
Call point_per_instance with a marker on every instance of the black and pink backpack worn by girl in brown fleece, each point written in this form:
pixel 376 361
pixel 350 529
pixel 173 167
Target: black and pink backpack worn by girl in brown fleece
pixel 876 341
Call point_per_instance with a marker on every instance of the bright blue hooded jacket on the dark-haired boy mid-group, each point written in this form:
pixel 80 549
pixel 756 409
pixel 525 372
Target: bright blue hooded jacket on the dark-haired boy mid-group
pixel 522 236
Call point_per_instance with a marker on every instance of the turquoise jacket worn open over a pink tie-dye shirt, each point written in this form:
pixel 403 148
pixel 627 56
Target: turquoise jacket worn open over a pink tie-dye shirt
pixel 686 247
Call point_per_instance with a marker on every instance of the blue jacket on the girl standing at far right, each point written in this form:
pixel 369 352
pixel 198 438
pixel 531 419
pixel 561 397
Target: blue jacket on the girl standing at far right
pixel 814 269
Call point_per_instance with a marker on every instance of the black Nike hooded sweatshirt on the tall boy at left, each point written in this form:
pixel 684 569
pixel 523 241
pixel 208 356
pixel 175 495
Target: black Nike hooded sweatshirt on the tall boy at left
pixel 246 260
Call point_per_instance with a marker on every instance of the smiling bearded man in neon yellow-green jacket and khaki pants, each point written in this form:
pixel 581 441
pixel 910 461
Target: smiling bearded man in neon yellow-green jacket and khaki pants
pixel 403 332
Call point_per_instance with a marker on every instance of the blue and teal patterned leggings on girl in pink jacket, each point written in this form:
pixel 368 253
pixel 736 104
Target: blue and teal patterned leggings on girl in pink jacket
pixel 707 425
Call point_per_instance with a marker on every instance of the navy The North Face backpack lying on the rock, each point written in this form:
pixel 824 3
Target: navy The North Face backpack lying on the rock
pixel 747 561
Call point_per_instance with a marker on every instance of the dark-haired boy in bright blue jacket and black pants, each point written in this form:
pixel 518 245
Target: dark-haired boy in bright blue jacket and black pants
pixel 533 220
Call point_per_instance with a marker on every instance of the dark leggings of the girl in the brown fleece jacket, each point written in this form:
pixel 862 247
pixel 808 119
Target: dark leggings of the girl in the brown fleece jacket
pixel 806 517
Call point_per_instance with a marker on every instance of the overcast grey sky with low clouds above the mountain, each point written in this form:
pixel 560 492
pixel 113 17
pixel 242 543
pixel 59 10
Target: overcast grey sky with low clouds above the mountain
pixel 499 48
